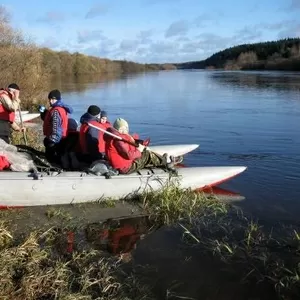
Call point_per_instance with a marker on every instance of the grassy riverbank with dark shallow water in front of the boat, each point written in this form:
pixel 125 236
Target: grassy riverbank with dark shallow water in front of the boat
pixel 208 248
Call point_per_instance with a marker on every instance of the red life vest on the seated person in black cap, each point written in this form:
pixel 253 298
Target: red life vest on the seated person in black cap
pixel 87 139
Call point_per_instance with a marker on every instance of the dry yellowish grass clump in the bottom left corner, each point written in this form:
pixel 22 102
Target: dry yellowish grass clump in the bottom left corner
pixel 38 267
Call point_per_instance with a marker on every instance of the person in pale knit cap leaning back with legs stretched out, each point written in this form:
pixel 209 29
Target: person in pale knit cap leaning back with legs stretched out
pixel 125 156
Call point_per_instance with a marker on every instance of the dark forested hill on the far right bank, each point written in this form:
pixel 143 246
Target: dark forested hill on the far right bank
pixel 276 55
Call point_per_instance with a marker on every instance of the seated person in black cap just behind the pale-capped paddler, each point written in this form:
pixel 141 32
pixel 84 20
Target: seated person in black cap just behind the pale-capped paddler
pixel 91 140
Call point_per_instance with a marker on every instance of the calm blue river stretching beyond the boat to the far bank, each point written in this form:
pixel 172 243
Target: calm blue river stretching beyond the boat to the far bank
pixel 238 118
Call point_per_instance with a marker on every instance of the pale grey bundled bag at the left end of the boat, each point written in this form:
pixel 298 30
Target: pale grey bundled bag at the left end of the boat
pixel 19 162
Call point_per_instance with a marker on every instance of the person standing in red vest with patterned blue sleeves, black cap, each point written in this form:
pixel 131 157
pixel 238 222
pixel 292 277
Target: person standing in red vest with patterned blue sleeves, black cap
pixel 55 125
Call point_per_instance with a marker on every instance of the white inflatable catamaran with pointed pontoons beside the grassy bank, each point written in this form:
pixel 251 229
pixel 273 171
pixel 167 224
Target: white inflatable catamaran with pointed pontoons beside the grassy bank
pixel 66 187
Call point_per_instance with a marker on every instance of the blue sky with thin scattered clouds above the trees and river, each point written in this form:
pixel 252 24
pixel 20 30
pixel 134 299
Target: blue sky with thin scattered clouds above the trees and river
pixel 153 31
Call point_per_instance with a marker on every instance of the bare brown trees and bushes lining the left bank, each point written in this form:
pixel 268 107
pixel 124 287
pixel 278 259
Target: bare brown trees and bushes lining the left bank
pixel 33 67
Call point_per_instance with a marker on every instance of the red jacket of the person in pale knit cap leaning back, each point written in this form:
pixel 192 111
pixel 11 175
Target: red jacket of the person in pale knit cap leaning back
pixel 120 154
